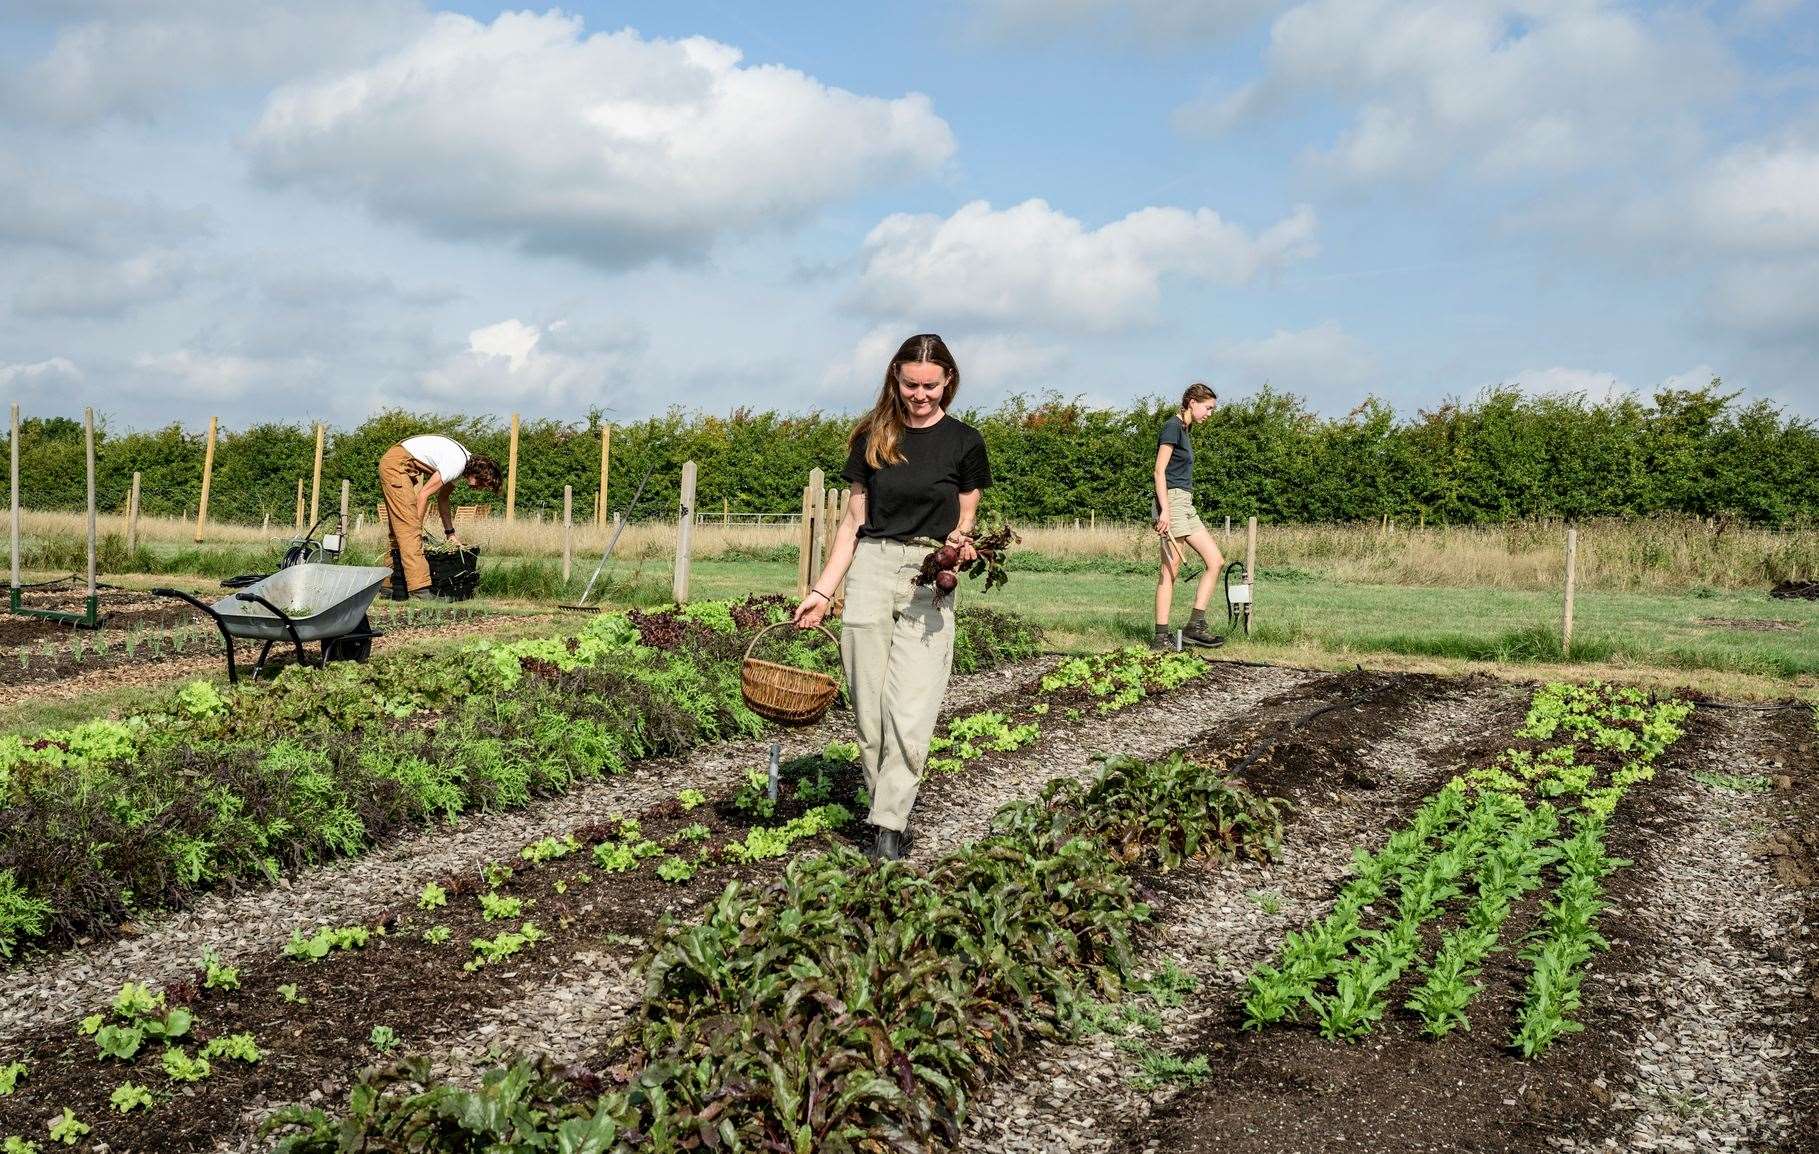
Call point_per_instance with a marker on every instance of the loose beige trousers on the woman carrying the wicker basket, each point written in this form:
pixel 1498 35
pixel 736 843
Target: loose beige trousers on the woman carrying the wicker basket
pixel 898 649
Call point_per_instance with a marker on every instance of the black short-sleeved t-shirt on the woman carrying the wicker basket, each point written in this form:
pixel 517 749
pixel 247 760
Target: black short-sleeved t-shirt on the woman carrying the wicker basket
pixel 921 498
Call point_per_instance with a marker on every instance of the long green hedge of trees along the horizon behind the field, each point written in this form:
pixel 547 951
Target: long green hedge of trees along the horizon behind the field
pixel 1502 456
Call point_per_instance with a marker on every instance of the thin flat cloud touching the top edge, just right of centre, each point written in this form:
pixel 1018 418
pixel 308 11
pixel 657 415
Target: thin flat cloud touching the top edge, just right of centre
pixel 1161 23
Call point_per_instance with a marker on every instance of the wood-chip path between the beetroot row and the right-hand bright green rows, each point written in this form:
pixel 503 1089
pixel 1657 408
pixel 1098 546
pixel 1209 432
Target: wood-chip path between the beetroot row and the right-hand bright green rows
pixel 1212 926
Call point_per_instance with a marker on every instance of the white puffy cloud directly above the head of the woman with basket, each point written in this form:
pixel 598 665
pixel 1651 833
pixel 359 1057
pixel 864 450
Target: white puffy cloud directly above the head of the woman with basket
pixel 1034 265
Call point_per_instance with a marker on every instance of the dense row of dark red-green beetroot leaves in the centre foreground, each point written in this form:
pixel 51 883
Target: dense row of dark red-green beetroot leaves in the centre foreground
pixel 845 1006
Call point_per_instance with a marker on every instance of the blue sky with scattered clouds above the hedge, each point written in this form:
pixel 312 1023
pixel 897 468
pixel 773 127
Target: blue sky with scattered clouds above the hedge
pixel 314 210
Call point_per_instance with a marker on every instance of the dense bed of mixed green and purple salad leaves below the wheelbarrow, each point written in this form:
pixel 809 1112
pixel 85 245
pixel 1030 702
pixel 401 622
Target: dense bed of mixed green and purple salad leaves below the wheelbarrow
pixel 210 785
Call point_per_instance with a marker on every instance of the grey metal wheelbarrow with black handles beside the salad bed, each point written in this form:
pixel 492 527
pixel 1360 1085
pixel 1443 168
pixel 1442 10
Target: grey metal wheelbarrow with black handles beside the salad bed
pixel 305 603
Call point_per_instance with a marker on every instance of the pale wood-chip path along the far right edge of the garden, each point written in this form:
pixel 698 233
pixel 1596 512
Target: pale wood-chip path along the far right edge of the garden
pixel 1716 1006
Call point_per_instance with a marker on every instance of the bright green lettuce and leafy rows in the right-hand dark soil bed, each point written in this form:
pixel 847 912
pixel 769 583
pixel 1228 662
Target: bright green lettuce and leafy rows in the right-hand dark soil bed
pixel 1463 862
